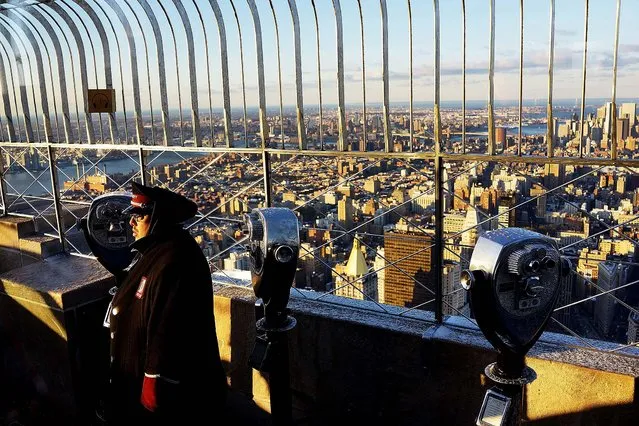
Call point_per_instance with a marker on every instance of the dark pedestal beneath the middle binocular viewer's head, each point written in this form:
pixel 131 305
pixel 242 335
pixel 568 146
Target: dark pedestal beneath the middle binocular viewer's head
pixel 270 355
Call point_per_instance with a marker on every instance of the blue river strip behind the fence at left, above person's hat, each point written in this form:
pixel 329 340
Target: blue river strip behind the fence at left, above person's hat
pixel 20 181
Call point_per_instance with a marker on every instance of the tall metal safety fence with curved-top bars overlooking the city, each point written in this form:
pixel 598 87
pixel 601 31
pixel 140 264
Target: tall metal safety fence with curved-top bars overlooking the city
pixel 391 196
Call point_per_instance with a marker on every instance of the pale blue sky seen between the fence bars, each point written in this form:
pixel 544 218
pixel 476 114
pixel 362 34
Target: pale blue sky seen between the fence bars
pixel 569 15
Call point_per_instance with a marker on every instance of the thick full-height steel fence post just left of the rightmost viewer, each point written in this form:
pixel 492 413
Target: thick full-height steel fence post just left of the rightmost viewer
pixel 438 251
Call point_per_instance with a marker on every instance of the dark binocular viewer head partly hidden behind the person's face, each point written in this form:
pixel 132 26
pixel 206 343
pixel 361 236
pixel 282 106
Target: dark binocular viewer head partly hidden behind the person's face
pixel 107 232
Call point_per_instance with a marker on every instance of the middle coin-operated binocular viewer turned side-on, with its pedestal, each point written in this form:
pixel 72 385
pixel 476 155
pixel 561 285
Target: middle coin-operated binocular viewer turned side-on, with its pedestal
pixel 274 243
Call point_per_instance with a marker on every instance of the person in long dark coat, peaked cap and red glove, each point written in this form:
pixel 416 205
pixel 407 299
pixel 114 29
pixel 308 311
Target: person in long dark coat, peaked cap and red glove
pixel 165 363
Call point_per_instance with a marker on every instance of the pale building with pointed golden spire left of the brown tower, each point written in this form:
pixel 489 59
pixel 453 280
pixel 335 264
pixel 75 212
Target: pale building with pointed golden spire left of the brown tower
pixel 354 280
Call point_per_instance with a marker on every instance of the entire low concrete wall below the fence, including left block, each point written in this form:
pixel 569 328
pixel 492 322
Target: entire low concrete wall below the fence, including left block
pixel 349 362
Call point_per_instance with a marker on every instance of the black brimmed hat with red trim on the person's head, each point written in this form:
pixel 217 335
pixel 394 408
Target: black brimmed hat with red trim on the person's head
pixel 166 205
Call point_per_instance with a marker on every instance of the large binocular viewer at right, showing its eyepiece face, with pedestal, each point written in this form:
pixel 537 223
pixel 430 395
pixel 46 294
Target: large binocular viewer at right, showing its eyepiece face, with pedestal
pixel 513 281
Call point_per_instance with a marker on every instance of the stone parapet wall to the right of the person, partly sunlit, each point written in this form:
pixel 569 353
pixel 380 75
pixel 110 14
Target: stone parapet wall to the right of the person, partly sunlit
pixel 352 362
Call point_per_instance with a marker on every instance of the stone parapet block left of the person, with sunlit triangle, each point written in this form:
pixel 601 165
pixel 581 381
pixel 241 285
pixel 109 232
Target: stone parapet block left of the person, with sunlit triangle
pixel 51 315
